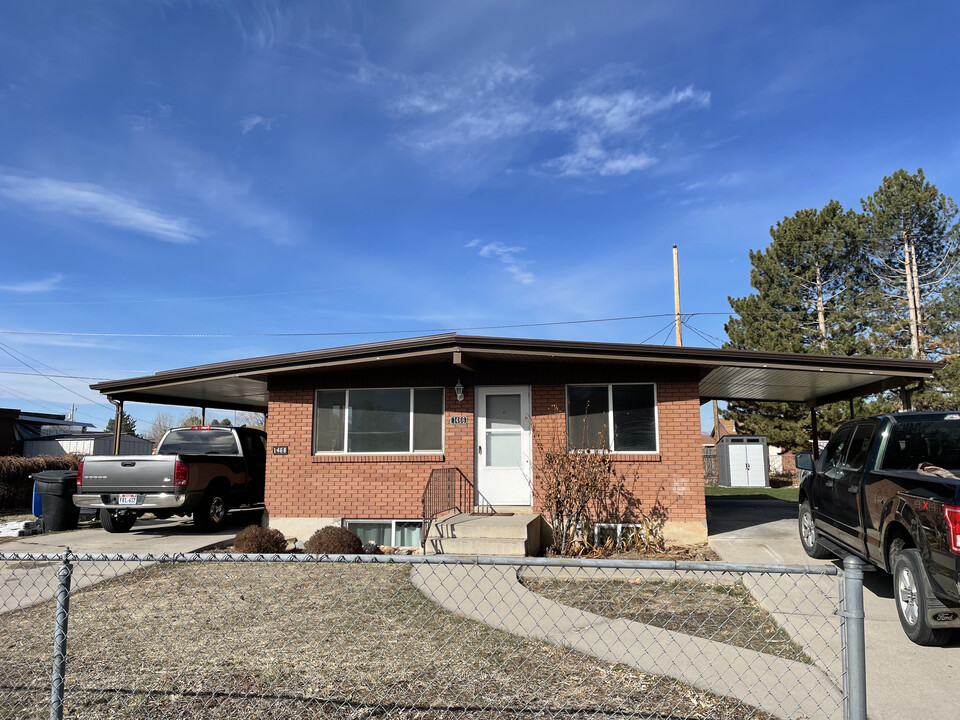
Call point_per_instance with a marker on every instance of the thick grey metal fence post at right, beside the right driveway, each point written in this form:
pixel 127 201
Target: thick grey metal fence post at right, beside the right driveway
pixel 854 650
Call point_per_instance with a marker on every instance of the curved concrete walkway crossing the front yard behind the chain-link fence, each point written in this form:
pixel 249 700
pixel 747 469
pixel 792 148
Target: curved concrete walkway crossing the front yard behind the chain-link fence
pixel 494 596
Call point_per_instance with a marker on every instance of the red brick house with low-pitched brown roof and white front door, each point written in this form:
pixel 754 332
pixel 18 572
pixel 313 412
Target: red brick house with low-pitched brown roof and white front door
pixel 357 431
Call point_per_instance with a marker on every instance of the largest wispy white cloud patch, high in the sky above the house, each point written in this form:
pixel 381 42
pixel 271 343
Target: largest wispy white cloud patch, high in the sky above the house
pixel 605 123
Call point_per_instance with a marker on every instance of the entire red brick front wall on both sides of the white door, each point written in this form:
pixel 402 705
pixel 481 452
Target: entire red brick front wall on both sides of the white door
pixel 300 484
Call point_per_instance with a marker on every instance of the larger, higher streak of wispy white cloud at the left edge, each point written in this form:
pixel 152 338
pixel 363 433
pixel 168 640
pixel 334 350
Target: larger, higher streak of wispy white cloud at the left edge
pixel 97 204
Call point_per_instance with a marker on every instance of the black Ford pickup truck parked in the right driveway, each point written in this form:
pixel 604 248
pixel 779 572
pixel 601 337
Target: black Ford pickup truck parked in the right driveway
pixel 886 489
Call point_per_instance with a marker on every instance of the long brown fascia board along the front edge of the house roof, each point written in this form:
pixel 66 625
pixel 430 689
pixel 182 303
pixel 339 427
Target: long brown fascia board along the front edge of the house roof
pixel 558 349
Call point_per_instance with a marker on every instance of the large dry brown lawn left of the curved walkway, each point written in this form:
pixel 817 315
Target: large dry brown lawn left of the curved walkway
pixel 333 640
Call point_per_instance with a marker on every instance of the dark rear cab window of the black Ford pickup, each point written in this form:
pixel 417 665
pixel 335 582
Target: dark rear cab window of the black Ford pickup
pixel 923 441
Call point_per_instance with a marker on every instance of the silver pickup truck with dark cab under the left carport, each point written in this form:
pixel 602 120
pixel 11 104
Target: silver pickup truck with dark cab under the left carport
pixel 203 471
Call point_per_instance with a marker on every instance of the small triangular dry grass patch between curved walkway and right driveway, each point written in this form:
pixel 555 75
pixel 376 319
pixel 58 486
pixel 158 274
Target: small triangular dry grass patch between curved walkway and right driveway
pixel 715 610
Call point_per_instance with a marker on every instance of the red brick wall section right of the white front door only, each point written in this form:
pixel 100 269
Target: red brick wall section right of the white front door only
pixel 674 476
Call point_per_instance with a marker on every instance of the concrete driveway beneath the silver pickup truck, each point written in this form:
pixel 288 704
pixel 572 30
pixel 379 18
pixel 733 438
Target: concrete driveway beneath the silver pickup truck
pixel 26 583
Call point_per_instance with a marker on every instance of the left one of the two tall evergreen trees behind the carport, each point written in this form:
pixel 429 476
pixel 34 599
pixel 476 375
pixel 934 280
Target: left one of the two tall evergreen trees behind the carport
pixel 814 293
